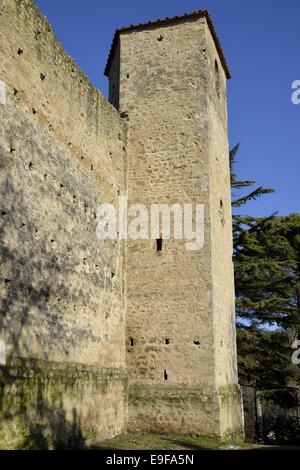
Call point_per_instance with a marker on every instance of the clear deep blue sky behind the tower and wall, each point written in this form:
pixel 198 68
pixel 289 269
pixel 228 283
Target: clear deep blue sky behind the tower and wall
pixel 261 43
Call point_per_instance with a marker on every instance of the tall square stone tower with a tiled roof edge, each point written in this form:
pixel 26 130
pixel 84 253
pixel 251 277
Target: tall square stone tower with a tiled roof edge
pixel 168 78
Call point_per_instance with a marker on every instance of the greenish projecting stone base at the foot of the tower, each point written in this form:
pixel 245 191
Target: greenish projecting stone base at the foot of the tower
pixel 183 409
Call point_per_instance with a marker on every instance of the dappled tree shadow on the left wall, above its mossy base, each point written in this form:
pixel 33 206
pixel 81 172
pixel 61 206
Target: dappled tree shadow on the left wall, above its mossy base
pixel 37 306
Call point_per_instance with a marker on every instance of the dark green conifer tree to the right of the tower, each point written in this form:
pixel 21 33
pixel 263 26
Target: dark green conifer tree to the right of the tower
pixel 267 281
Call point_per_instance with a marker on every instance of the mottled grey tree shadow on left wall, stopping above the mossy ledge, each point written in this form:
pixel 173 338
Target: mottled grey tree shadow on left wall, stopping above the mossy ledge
pixel 31 297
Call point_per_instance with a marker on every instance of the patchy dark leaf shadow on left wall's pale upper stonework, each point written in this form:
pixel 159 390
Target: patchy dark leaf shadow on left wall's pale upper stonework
pixel 27 284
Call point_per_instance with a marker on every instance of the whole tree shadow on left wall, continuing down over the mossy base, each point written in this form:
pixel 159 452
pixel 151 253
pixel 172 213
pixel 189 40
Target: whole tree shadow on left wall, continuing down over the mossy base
pixel 28 273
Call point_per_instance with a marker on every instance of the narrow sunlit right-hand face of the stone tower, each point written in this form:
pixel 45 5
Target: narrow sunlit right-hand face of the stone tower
pixel 222 275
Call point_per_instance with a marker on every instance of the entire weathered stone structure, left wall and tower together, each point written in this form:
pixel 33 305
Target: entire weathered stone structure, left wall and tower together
pixel 64 295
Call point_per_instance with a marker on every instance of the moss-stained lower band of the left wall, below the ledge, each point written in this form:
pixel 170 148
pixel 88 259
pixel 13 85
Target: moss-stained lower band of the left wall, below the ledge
pixel 46 405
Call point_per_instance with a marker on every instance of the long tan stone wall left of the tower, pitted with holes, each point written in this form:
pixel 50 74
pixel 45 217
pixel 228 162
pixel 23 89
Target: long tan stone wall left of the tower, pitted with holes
pixel 62 152
